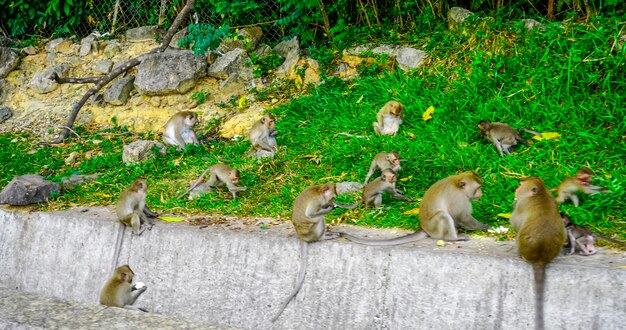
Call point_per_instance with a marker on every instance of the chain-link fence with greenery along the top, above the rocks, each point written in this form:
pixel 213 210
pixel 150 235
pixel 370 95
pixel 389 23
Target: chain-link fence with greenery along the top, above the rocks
pixel 116 16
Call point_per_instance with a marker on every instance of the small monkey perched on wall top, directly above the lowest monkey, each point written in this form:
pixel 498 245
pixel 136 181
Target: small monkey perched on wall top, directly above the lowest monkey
pixel 131 206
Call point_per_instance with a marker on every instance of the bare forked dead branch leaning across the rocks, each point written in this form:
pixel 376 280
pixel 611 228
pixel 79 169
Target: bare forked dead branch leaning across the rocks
pixel 102 81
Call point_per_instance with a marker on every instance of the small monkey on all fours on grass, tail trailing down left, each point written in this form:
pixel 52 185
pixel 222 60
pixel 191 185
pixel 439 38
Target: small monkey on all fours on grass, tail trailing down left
pixel 220 174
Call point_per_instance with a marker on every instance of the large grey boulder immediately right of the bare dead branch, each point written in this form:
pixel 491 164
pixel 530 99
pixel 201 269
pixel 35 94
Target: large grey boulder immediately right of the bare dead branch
pixel 169 73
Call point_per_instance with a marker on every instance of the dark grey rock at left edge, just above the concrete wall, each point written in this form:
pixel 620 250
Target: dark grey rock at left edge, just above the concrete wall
pixel 28 189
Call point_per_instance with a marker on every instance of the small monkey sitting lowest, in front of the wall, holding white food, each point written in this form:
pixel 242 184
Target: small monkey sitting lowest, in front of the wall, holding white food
pixel 118 290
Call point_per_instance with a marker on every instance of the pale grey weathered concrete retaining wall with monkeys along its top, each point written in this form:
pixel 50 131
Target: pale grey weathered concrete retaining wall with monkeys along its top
pixel 236 274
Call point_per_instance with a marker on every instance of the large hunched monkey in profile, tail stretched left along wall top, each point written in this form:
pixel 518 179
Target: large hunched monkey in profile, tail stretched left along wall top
pixel 446 205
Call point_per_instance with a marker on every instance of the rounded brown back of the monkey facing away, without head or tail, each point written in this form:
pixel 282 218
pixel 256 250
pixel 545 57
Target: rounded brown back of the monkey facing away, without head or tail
pixel 542 235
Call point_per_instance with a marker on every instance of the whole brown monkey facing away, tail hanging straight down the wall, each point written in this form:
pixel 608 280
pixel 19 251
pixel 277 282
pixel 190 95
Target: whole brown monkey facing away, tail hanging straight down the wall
pixel 540 233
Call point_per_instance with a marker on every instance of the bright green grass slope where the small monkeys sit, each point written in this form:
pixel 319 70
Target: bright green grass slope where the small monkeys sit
pixel 568 79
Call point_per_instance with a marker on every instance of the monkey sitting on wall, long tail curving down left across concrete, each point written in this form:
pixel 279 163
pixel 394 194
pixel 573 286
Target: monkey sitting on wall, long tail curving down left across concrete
pixel 307 217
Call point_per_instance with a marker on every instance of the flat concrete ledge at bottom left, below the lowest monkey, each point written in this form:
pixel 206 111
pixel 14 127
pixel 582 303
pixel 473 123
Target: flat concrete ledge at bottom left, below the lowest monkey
pixel 21 310
